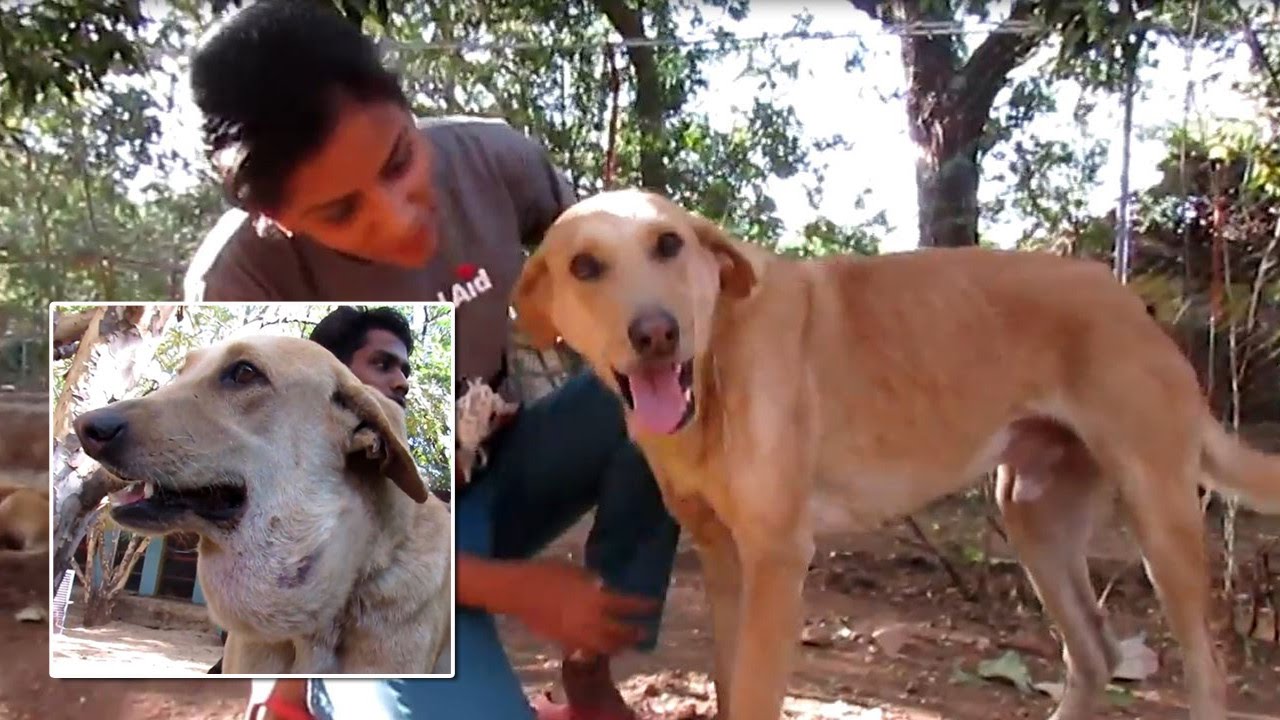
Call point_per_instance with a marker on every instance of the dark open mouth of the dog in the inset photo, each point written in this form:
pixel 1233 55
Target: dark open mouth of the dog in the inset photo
pixel 145 504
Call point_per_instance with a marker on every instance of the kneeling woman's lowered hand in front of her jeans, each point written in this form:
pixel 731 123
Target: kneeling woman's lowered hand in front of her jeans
pixel 566 604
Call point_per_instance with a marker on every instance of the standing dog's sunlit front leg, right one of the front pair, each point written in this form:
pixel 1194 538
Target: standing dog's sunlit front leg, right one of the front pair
pixel 770 619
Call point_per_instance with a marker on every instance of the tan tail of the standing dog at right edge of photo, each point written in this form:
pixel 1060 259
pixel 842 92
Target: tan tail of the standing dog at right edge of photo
pixel 1238 470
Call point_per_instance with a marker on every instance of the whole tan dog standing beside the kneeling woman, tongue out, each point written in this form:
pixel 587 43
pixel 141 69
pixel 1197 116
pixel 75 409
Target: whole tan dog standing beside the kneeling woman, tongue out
pixel 776 399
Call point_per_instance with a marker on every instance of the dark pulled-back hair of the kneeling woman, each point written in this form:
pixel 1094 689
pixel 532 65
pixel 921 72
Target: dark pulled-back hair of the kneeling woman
pixel 269 84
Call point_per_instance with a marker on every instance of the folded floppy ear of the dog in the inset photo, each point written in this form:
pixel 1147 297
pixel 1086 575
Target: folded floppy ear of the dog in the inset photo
pixel 378 435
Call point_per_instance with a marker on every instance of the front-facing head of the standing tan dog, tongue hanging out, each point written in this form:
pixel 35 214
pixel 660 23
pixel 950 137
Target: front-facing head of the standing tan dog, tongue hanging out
pixel 632 282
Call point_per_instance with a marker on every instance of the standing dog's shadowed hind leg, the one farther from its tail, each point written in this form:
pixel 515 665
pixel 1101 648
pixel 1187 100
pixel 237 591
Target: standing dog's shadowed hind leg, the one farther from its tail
pixel 1050 535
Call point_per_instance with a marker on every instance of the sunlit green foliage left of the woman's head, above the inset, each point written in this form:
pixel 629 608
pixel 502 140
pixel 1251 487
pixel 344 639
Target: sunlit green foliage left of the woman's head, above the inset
pixel 79 217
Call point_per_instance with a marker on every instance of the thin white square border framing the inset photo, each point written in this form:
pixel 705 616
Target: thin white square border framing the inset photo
pixel 454 531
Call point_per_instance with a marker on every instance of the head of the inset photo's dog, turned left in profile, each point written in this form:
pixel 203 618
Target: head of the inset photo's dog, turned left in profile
pixel 266 432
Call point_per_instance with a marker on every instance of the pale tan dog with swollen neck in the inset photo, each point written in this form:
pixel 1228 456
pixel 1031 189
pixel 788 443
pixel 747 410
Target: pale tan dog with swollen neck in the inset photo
pixel 321 548
